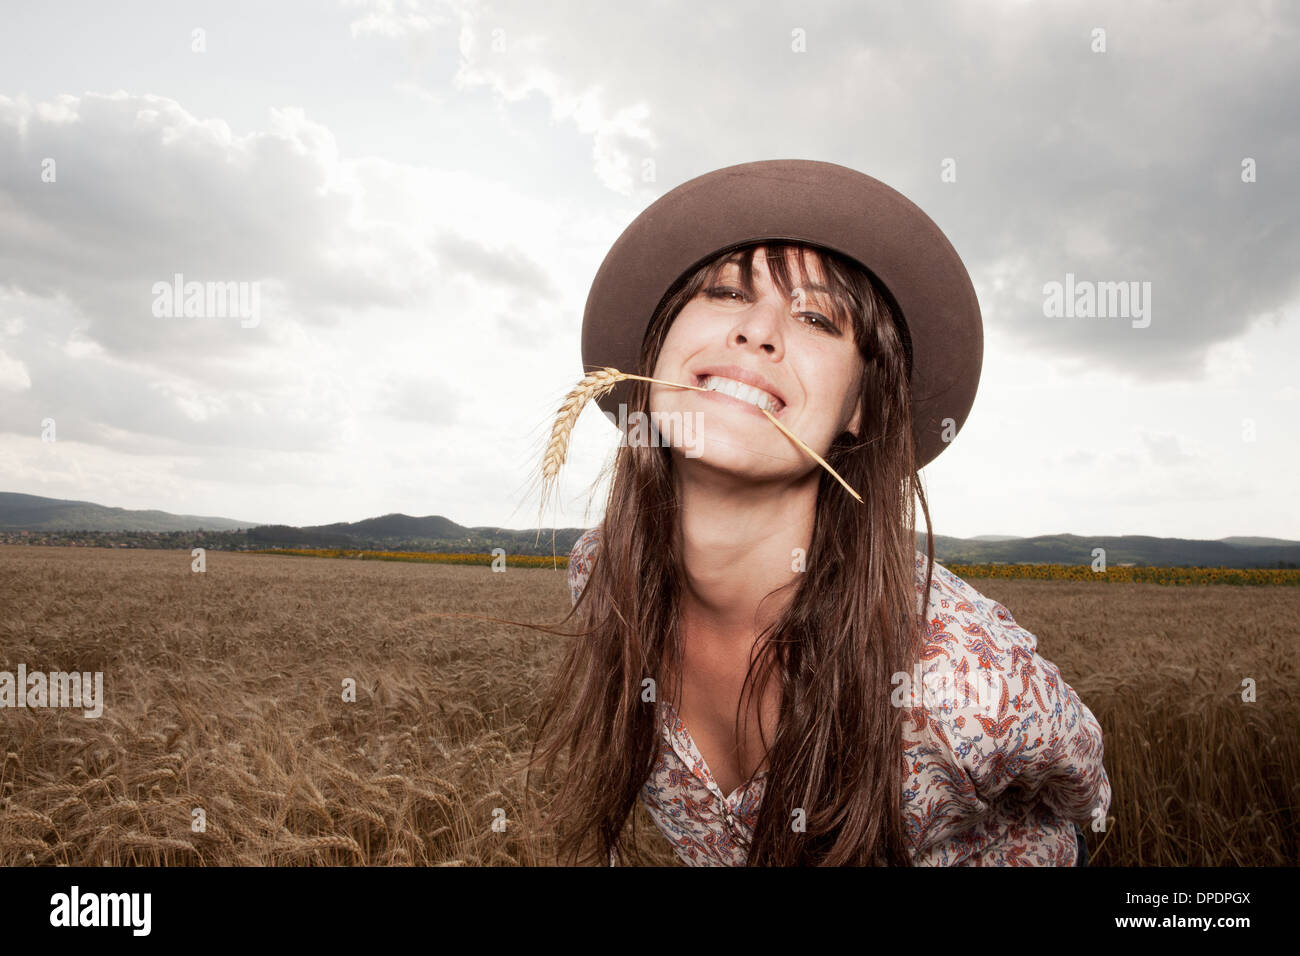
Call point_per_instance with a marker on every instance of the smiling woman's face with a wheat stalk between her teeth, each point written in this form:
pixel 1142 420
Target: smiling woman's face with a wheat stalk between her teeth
pixel 794 349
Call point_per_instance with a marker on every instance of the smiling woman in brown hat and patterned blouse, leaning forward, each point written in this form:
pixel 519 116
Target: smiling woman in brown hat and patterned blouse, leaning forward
pixel 756 668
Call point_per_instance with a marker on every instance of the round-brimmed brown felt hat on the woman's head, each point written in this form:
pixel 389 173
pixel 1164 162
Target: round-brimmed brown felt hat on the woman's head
pixel 805 201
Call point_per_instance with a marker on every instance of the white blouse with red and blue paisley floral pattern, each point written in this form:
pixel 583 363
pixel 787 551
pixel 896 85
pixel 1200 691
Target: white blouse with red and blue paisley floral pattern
pixel 1003 758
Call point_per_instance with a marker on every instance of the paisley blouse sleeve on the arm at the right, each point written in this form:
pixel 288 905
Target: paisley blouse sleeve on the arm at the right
pixel 1015 723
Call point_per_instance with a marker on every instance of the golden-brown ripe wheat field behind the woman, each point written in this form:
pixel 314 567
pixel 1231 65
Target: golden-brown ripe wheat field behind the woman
pixel 226 708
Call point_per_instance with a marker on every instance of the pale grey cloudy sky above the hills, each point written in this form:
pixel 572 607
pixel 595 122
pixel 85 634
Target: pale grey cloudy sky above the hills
pixel 423 193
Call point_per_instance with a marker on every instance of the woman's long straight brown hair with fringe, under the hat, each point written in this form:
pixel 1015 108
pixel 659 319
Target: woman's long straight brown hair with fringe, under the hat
pixel 850 626
